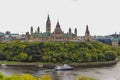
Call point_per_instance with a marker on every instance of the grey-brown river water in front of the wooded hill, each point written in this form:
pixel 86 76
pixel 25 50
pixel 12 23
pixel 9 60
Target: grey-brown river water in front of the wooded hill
pixel 100 73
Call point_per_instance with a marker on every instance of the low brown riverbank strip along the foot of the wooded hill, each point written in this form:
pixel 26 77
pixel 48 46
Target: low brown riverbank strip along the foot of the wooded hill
pixel 52 65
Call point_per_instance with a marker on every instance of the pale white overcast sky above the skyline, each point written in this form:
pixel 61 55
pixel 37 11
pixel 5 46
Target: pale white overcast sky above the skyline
pixel 101 16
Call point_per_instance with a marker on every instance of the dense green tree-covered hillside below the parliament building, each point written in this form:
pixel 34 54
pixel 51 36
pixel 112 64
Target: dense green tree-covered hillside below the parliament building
pixel 57 52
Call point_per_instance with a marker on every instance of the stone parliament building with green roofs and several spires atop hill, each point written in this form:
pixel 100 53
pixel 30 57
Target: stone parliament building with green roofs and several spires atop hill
pixel 56 35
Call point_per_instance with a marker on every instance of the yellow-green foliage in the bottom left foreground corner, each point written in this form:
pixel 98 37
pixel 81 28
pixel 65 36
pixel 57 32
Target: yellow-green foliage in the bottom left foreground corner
pixel 24 77
